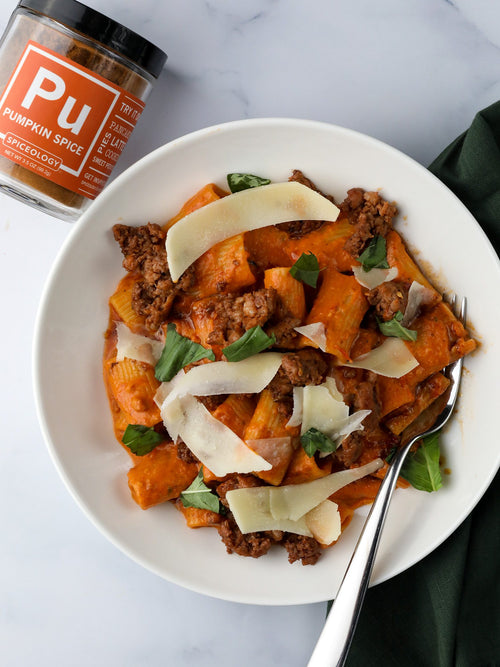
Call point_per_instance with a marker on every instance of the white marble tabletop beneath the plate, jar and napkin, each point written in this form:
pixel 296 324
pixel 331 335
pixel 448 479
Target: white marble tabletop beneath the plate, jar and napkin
pixel 410 72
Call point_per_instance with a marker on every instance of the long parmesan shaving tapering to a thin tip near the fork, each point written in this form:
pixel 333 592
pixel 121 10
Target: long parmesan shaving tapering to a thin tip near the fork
pixel 294 500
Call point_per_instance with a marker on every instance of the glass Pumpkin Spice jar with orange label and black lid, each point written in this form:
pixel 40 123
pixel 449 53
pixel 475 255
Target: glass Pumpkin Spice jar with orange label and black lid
pixel 73 84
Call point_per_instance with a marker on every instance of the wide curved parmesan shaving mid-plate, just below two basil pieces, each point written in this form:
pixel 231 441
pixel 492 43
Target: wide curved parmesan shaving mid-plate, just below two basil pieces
pixel 248 376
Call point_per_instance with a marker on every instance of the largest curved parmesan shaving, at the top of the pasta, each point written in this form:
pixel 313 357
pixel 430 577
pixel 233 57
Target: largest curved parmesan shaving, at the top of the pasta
pixel 240 212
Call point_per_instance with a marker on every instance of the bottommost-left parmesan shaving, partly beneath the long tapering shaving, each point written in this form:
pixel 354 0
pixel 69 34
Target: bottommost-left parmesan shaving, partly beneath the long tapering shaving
pixel 251 511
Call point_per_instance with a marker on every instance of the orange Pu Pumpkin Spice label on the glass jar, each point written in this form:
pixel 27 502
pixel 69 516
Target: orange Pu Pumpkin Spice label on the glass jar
pixel 64 122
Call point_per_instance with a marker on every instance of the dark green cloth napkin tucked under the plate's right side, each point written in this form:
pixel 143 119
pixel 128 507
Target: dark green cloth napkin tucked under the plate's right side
pixel 445 611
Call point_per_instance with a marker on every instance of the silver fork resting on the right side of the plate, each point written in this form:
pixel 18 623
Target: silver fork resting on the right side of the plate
pixel 335 640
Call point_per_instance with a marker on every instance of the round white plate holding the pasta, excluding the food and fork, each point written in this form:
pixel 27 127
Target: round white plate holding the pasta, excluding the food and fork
pixel 73 408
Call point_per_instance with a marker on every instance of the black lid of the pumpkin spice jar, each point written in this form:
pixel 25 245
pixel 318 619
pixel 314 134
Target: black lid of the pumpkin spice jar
pixel 97 26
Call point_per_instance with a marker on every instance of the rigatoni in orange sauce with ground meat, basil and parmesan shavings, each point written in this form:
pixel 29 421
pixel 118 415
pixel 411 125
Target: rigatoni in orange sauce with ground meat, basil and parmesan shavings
pixel 267 350
